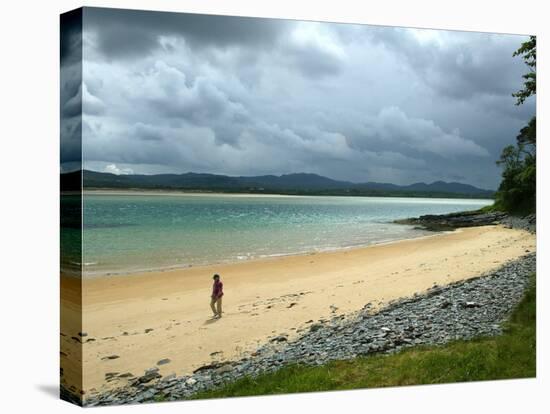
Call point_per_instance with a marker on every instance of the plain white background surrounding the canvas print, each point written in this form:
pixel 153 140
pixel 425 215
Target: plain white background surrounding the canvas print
pixel 29 162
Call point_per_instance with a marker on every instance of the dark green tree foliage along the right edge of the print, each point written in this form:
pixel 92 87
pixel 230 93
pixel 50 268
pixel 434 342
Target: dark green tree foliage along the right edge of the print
pixel 517 191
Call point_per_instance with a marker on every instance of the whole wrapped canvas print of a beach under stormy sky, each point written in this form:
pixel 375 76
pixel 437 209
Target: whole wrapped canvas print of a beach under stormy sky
pixel 255 206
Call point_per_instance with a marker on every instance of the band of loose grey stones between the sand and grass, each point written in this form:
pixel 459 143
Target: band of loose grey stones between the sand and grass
pixel 464 310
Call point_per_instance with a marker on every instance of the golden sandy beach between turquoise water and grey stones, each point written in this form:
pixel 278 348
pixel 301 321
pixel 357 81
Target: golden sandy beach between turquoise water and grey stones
pixel 141 319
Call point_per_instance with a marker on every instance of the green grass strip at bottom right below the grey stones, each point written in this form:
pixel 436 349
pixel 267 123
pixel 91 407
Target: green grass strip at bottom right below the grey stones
pixel 510 355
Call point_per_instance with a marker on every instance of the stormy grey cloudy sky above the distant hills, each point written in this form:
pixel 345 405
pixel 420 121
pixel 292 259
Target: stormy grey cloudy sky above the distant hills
pixel 173 93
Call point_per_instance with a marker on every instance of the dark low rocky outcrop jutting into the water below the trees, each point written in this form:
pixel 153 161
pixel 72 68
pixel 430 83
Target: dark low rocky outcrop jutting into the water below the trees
pixel 453 221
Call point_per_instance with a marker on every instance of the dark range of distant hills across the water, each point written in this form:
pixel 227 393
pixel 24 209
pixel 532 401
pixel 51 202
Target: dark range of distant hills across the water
pixel 300 183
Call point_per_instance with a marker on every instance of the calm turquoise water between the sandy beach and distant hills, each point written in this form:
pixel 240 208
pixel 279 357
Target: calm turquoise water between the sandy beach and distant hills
pixel 125 233
